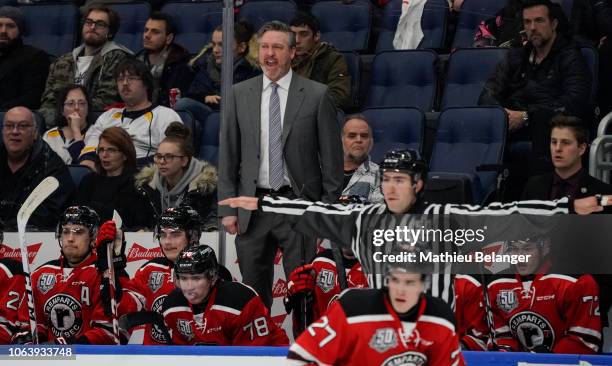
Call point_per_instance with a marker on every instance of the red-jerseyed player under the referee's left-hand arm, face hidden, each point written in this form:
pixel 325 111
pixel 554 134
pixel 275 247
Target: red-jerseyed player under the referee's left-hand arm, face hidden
pixel 320 282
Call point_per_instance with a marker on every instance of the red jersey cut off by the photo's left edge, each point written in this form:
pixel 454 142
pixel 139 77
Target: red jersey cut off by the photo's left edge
pixel 12 291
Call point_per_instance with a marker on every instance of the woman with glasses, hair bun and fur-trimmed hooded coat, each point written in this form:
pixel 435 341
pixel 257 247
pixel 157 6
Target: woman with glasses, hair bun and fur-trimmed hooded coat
pixel 179 178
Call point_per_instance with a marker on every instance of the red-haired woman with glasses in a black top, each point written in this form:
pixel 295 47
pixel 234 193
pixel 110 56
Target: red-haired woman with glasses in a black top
pixel 112 188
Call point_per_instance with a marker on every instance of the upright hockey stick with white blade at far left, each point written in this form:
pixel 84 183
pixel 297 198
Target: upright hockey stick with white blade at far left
pixel 44 189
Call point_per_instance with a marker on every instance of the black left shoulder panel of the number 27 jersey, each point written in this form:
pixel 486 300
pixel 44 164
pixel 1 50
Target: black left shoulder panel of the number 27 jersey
pixel 356 302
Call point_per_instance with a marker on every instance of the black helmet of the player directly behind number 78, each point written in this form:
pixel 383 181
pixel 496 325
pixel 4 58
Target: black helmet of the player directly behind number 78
pixel 183 217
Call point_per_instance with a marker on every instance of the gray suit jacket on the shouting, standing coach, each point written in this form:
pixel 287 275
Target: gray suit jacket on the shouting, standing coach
pixel 312 146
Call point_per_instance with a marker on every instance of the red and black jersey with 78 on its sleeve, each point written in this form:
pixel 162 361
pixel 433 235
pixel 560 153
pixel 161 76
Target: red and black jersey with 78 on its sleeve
pixel 234 315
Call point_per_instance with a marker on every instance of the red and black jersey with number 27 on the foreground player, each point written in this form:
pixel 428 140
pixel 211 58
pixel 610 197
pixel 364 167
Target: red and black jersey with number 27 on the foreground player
pixel 361 328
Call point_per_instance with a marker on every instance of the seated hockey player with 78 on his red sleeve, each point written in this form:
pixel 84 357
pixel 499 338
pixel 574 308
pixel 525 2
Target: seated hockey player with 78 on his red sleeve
pixel 206 310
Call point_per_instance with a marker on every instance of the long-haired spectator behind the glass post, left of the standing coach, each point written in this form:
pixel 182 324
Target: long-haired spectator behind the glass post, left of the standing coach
pixel 204 94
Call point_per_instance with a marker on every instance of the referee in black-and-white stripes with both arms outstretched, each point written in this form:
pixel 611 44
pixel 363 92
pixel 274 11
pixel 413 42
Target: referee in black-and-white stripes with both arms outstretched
pixel 356 226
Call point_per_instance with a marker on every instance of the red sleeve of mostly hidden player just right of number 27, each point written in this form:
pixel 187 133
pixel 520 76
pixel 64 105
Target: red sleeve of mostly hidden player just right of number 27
pixel 470 314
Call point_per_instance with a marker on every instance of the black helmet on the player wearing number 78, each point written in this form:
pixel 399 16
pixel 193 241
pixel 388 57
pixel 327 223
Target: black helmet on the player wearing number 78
pixel 199 259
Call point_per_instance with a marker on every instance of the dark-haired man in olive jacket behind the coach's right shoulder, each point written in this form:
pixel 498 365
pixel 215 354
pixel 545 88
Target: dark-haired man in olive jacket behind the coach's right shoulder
pixel 320 61
